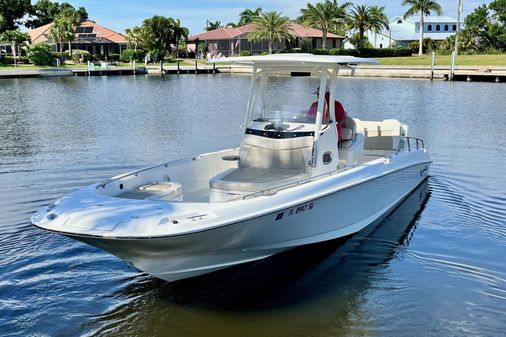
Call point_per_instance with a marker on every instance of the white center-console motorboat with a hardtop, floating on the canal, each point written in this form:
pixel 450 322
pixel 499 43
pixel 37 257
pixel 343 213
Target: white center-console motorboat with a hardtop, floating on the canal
pixel 290 183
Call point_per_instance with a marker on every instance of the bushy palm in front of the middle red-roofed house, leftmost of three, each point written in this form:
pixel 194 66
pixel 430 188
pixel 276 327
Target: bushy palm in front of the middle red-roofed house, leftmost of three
pixel 271 26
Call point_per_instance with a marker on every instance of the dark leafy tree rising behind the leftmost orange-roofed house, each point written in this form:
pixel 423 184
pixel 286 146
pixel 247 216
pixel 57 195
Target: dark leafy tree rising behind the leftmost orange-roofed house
pixel 45 11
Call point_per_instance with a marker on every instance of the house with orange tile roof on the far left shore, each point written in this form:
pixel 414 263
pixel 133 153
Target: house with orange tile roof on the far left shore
pixel 90 36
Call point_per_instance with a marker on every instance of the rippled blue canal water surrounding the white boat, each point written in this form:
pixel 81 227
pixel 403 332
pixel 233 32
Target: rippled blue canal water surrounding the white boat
pixel 435 266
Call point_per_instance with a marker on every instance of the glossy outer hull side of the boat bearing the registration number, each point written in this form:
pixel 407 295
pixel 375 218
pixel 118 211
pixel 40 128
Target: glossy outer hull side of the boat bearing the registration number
pixel 327 217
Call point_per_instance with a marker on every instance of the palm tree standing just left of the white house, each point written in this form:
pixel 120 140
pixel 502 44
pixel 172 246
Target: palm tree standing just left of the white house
pixel 368 18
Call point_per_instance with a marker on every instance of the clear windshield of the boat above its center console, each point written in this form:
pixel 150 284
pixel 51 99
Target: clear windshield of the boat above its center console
pixel 285 100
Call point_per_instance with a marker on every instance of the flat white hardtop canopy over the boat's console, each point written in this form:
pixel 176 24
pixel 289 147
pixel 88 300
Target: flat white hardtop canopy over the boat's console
pixel 295 59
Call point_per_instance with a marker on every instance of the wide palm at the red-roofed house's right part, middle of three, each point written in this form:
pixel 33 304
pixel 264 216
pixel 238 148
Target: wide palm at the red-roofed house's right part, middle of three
pixel 323 16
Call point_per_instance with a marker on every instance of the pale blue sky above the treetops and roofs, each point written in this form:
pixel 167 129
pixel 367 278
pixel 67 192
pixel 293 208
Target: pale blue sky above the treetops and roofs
pixel 121 14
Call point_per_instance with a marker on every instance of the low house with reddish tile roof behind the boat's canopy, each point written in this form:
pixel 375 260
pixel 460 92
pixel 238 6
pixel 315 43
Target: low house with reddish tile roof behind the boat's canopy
pixel 232 41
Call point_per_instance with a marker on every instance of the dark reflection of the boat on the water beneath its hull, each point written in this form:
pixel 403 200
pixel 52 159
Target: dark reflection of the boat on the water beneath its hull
pixel 319 280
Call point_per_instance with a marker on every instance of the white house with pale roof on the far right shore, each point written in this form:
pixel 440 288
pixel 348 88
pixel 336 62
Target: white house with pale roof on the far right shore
pixel 403 31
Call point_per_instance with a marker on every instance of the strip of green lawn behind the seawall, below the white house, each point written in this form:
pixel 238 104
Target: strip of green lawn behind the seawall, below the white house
pixel 445 60
